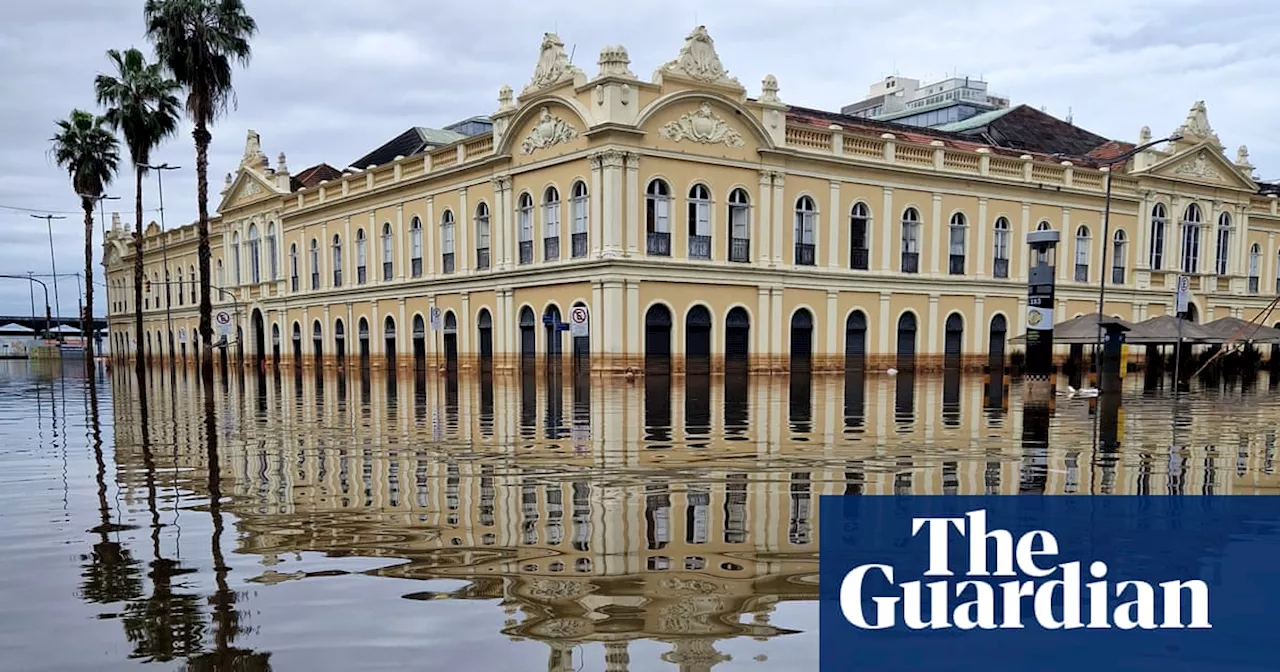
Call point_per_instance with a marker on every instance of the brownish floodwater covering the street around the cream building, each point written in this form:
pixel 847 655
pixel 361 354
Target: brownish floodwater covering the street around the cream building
pixel 516 522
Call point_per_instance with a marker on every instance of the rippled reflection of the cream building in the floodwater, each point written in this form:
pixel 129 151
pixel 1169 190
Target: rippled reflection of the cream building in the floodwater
pixel 678 508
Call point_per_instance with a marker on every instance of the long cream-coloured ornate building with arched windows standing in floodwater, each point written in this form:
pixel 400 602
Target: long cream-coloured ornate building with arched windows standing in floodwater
pixel 701 221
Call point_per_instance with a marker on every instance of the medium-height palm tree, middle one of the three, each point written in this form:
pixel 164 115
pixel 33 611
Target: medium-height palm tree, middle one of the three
pixel 143 104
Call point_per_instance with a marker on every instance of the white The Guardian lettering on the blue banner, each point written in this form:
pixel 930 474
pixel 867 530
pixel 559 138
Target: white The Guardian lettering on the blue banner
pixel 1037 587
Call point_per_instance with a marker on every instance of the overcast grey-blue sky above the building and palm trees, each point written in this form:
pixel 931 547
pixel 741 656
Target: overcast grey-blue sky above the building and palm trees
pixel 332 80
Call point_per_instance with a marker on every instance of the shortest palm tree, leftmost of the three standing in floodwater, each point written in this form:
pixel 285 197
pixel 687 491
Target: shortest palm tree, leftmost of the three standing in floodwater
pixel 90 154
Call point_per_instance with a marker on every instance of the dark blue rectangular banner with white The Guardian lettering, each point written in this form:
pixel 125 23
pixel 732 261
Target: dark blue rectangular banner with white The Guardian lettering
pixel 1032 584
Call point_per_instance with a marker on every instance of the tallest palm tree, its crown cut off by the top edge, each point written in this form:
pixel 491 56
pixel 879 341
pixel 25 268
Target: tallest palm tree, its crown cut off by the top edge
pixel 199 40
